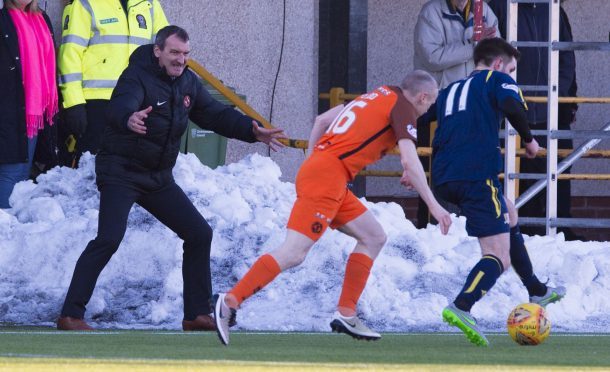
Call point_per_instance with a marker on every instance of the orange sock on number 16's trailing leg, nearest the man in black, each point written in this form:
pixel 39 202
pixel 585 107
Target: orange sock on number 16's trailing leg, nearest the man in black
pixel 264 270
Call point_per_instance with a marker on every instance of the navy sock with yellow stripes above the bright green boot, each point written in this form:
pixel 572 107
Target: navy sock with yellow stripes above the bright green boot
pixel 480 280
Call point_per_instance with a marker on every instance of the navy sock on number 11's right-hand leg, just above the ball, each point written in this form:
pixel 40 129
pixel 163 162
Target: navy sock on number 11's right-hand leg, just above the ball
pixel 523 265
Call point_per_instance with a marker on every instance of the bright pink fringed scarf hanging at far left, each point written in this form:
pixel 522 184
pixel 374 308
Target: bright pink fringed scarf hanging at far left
pixel 38 66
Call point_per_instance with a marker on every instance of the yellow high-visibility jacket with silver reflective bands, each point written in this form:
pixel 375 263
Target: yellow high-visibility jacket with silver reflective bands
pixel 97 39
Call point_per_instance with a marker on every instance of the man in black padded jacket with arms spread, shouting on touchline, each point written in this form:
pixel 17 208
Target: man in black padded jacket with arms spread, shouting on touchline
pixel 148 113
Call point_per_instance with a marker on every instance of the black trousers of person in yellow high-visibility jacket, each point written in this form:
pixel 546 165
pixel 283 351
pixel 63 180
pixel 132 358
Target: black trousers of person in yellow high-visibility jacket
pixel 90 140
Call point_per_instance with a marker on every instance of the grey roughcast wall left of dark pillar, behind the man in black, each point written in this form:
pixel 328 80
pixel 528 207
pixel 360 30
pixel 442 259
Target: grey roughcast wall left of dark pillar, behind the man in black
pixel 239 42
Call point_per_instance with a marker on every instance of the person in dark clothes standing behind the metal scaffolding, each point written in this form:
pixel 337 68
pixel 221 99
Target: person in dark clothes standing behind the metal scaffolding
pixel 533 25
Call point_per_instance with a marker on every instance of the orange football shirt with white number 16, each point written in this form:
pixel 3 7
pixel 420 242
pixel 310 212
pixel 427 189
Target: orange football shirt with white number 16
pixel 368 127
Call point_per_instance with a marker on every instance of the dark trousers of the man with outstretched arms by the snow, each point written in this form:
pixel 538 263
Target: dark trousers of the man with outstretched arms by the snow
pixel 172 208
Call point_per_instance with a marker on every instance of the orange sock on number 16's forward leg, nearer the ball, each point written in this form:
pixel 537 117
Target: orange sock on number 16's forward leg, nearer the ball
pixel 356 274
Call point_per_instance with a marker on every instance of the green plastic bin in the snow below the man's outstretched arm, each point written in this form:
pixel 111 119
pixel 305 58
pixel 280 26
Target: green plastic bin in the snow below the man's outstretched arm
pixel 209 147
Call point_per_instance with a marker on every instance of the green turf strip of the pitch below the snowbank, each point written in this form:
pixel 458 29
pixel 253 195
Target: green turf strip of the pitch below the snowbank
pixel 434 349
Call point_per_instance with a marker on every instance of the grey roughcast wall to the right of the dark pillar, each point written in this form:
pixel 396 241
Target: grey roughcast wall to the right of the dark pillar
pixel 389 58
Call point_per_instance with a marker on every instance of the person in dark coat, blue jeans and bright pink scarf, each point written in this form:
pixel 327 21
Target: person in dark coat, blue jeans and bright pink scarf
pixel 28 100
